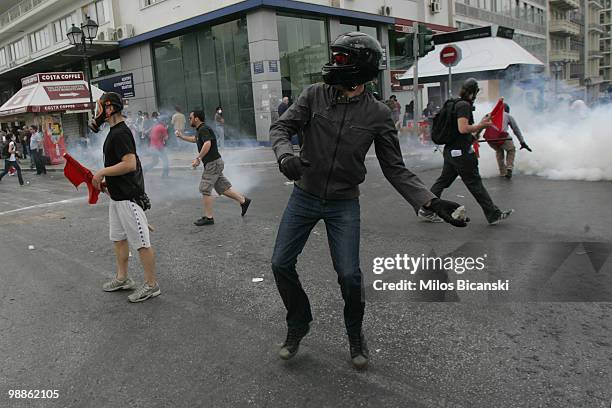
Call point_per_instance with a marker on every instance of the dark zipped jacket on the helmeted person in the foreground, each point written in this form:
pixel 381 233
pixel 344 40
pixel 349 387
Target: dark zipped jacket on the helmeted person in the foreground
pixel 336 136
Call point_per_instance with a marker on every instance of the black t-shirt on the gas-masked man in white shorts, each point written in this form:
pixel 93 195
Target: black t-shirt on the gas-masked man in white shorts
pixel 118 143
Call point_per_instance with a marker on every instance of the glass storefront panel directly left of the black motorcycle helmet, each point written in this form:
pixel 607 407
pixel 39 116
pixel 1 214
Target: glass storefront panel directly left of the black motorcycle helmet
pixel 304 49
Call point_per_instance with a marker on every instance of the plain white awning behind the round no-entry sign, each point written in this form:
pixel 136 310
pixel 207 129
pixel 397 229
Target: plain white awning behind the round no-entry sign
pixel 483 58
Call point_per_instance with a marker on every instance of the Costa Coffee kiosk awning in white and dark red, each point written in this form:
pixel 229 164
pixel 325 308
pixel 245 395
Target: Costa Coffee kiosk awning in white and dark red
pixel 51 92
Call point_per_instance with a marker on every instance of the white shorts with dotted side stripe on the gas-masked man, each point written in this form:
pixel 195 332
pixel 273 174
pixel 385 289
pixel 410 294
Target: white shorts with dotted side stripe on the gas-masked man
pixel 128 221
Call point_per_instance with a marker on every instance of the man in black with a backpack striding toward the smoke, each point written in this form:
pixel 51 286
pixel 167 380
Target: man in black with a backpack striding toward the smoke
pixel 455 128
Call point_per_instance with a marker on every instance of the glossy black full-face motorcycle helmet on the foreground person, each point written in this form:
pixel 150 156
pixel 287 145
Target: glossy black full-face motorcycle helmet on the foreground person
pixel 355 60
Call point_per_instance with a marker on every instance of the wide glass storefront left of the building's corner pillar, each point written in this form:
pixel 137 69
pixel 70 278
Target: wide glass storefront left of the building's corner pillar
pixel 207 68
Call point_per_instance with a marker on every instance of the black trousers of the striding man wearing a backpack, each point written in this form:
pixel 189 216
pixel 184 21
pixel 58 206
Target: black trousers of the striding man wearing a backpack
pixel 466 166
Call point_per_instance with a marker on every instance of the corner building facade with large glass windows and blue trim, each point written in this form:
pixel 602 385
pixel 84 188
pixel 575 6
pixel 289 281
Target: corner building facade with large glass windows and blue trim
pixel 241 55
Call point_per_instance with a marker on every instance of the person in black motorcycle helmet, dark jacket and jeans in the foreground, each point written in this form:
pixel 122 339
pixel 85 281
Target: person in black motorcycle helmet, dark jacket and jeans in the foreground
pixel 339 123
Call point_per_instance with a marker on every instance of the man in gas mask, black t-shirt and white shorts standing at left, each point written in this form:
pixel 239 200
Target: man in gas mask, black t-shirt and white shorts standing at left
pixel 122 173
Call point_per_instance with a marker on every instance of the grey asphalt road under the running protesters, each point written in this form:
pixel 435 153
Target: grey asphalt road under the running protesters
pixel 211 338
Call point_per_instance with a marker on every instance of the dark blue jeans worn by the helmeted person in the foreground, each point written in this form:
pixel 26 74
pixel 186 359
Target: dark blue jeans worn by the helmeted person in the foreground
pixel 342 221
